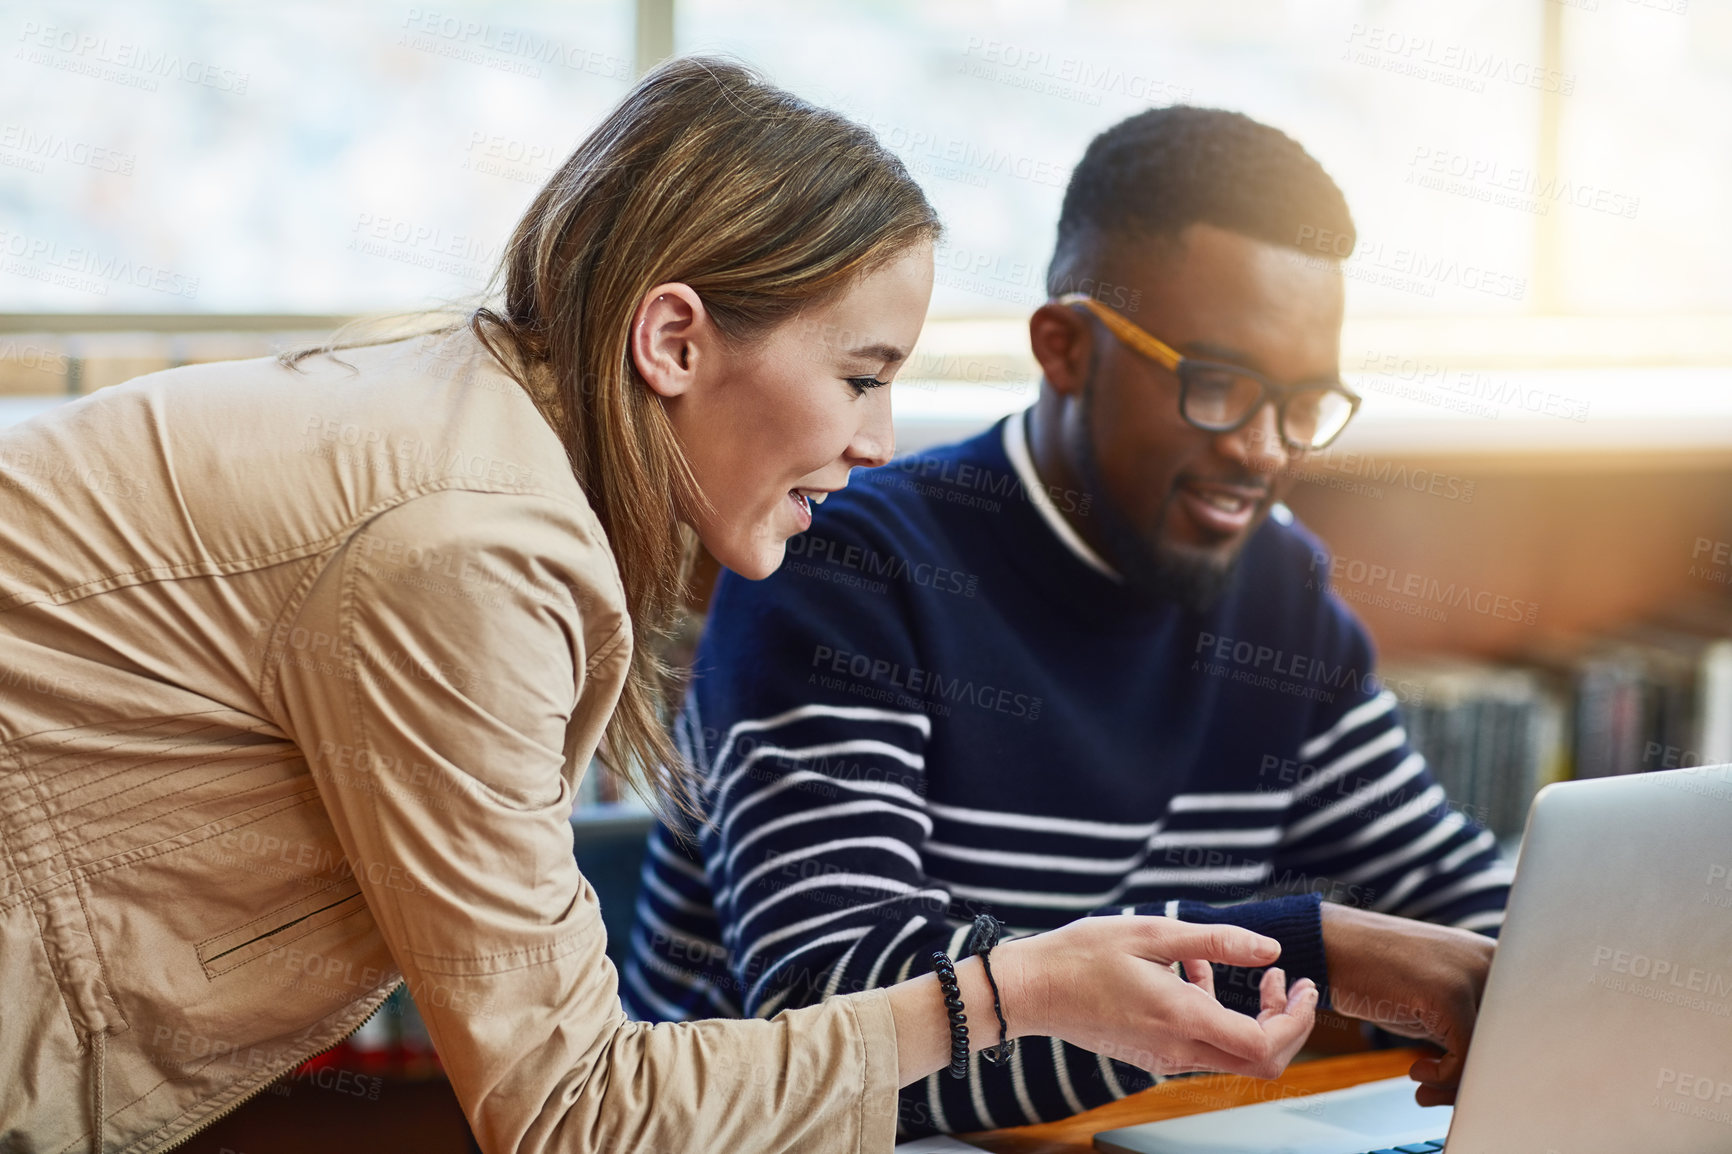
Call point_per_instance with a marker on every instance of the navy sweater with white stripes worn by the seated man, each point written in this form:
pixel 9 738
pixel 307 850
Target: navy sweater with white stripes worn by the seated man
pixel 947 703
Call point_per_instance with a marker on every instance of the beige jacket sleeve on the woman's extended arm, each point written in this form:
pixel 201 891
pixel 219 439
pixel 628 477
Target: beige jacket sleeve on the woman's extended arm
pixel 458 665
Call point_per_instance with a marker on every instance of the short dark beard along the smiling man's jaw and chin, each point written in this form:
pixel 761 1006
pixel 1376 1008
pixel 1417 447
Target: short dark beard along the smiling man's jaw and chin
pixel 1158 571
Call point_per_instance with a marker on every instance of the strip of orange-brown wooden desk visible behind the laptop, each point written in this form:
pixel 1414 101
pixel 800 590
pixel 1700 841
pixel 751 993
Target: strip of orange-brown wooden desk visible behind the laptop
pixel 1192 1096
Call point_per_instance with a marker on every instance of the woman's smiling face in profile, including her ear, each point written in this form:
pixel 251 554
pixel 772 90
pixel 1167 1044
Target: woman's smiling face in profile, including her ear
pixel 773 427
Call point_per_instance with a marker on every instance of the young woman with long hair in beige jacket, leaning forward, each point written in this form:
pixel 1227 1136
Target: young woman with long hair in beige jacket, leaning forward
pixel 304 661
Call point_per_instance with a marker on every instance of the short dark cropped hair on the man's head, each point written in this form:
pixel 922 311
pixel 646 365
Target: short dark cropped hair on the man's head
pixel 1158 172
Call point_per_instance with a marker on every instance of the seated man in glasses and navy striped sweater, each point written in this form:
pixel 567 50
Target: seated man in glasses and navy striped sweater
pixel 1083 665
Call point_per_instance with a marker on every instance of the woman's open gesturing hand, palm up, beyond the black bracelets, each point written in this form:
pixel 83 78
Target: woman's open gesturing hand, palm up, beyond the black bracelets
pixel 1108 985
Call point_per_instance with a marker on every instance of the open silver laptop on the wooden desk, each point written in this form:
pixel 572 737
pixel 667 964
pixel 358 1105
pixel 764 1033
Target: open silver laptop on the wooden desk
pixel 1606 1025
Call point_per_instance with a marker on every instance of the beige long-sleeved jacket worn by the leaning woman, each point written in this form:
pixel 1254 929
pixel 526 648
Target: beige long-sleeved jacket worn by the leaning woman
pixel 299 673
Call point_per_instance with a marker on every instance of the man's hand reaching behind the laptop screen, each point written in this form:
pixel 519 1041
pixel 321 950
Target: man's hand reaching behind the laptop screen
pixel 1414 980
